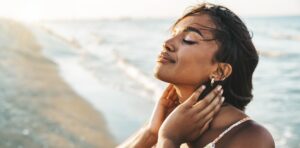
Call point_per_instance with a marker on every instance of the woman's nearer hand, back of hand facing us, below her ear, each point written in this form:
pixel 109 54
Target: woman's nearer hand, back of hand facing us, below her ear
pixel 191 118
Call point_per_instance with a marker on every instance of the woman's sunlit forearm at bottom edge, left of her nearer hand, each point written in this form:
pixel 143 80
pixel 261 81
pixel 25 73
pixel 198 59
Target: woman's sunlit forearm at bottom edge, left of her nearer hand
pixel 142 139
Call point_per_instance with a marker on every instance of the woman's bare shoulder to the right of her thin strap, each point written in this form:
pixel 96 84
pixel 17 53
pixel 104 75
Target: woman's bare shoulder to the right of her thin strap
pixel 249 135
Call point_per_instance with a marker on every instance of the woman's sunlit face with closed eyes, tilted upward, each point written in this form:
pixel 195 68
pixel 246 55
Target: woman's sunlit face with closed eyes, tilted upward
pixel 187 59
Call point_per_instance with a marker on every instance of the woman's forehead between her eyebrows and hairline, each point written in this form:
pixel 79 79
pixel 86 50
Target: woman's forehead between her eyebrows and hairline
pixel 196 21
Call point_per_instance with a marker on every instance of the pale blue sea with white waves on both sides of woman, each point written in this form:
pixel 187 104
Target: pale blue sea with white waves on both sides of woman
pixel 110 62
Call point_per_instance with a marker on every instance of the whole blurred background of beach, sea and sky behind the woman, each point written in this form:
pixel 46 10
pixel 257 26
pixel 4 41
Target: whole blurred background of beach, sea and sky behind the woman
pixel 78 73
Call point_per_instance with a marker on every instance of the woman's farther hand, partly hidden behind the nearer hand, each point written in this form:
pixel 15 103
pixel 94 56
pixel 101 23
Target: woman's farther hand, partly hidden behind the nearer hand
pixel 166 104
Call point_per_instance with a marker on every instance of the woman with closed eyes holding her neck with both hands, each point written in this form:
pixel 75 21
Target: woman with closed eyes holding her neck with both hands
pixel 209 44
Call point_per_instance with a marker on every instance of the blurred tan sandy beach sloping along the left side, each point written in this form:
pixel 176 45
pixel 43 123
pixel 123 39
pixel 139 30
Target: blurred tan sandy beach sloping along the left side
pixel 37 107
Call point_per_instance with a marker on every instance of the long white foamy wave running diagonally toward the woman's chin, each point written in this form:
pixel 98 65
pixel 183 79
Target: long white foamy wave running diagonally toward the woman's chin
pixel 88 59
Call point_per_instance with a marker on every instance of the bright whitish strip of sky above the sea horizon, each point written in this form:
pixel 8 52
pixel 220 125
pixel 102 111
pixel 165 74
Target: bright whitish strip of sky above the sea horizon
pixel 32 10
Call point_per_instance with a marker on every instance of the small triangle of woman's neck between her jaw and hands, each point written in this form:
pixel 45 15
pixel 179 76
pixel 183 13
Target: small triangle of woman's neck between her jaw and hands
pixel 184 91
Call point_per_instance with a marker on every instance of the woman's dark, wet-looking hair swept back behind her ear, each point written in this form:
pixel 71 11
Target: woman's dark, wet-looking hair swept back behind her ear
pixel 235 48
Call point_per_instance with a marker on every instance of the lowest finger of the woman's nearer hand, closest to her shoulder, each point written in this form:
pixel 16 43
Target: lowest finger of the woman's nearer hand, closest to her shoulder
pixel 209 113
